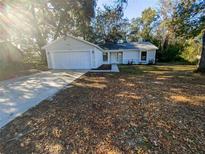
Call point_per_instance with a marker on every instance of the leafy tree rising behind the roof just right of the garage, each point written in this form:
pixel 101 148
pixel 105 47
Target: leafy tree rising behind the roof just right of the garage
pixel 109 25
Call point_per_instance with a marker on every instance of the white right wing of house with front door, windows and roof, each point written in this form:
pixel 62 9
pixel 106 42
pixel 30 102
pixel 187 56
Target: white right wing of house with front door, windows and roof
pixel 130 52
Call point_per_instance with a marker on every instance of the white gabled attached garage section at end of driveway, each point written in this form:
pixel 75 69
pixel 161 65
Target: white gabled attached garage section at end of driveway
pixel 73 53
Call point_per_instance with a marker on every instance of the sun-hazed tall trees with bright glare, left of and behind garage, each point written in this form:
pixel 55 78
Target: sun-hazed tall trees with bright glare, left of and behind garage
pixel 32 23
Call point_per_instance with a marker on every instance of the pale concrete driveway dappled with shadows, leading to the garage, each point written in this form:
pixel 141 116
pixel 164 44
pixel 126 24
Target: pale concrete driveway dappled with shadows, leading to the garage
pixel 17 96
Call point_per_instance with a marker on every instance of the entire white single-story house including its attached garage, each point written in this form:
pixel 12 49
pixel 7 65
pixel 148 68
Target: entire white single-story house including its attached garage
pixel 74 53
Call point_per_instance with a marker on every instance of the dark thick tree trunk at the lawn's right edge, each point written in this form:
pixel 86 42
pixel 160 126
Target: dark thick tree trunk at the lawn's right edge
pixel 201 67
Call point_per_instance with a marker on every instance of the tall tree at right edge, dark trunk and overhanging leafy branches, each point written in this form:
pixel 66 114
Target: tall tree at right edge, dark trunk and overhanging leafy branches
pixel 189 22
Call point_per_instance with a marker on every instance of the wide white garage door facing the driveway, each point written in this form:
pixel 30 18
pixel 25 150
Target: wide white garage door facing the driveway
pixel 71 60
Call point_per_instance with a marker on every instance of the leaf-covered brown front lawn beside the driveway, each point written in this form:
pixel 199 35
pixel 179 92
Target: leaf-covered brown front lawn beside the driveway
pixel 142 109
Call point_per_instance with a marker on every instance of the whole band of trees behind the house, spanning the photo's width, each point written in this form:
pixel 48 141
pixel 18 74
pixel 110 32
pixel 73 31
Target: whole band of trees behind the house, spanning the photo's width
pixel 176 27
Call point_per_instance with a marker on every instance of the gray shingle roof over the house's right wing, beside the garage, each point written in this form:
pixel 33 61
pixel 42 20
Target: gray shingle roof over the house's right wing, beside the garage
pixel 129 45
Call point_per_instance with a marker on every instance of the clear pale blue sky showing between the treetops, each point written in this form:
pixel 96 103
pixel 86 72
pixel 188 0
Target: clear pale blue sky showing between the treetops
pixel 134 7
